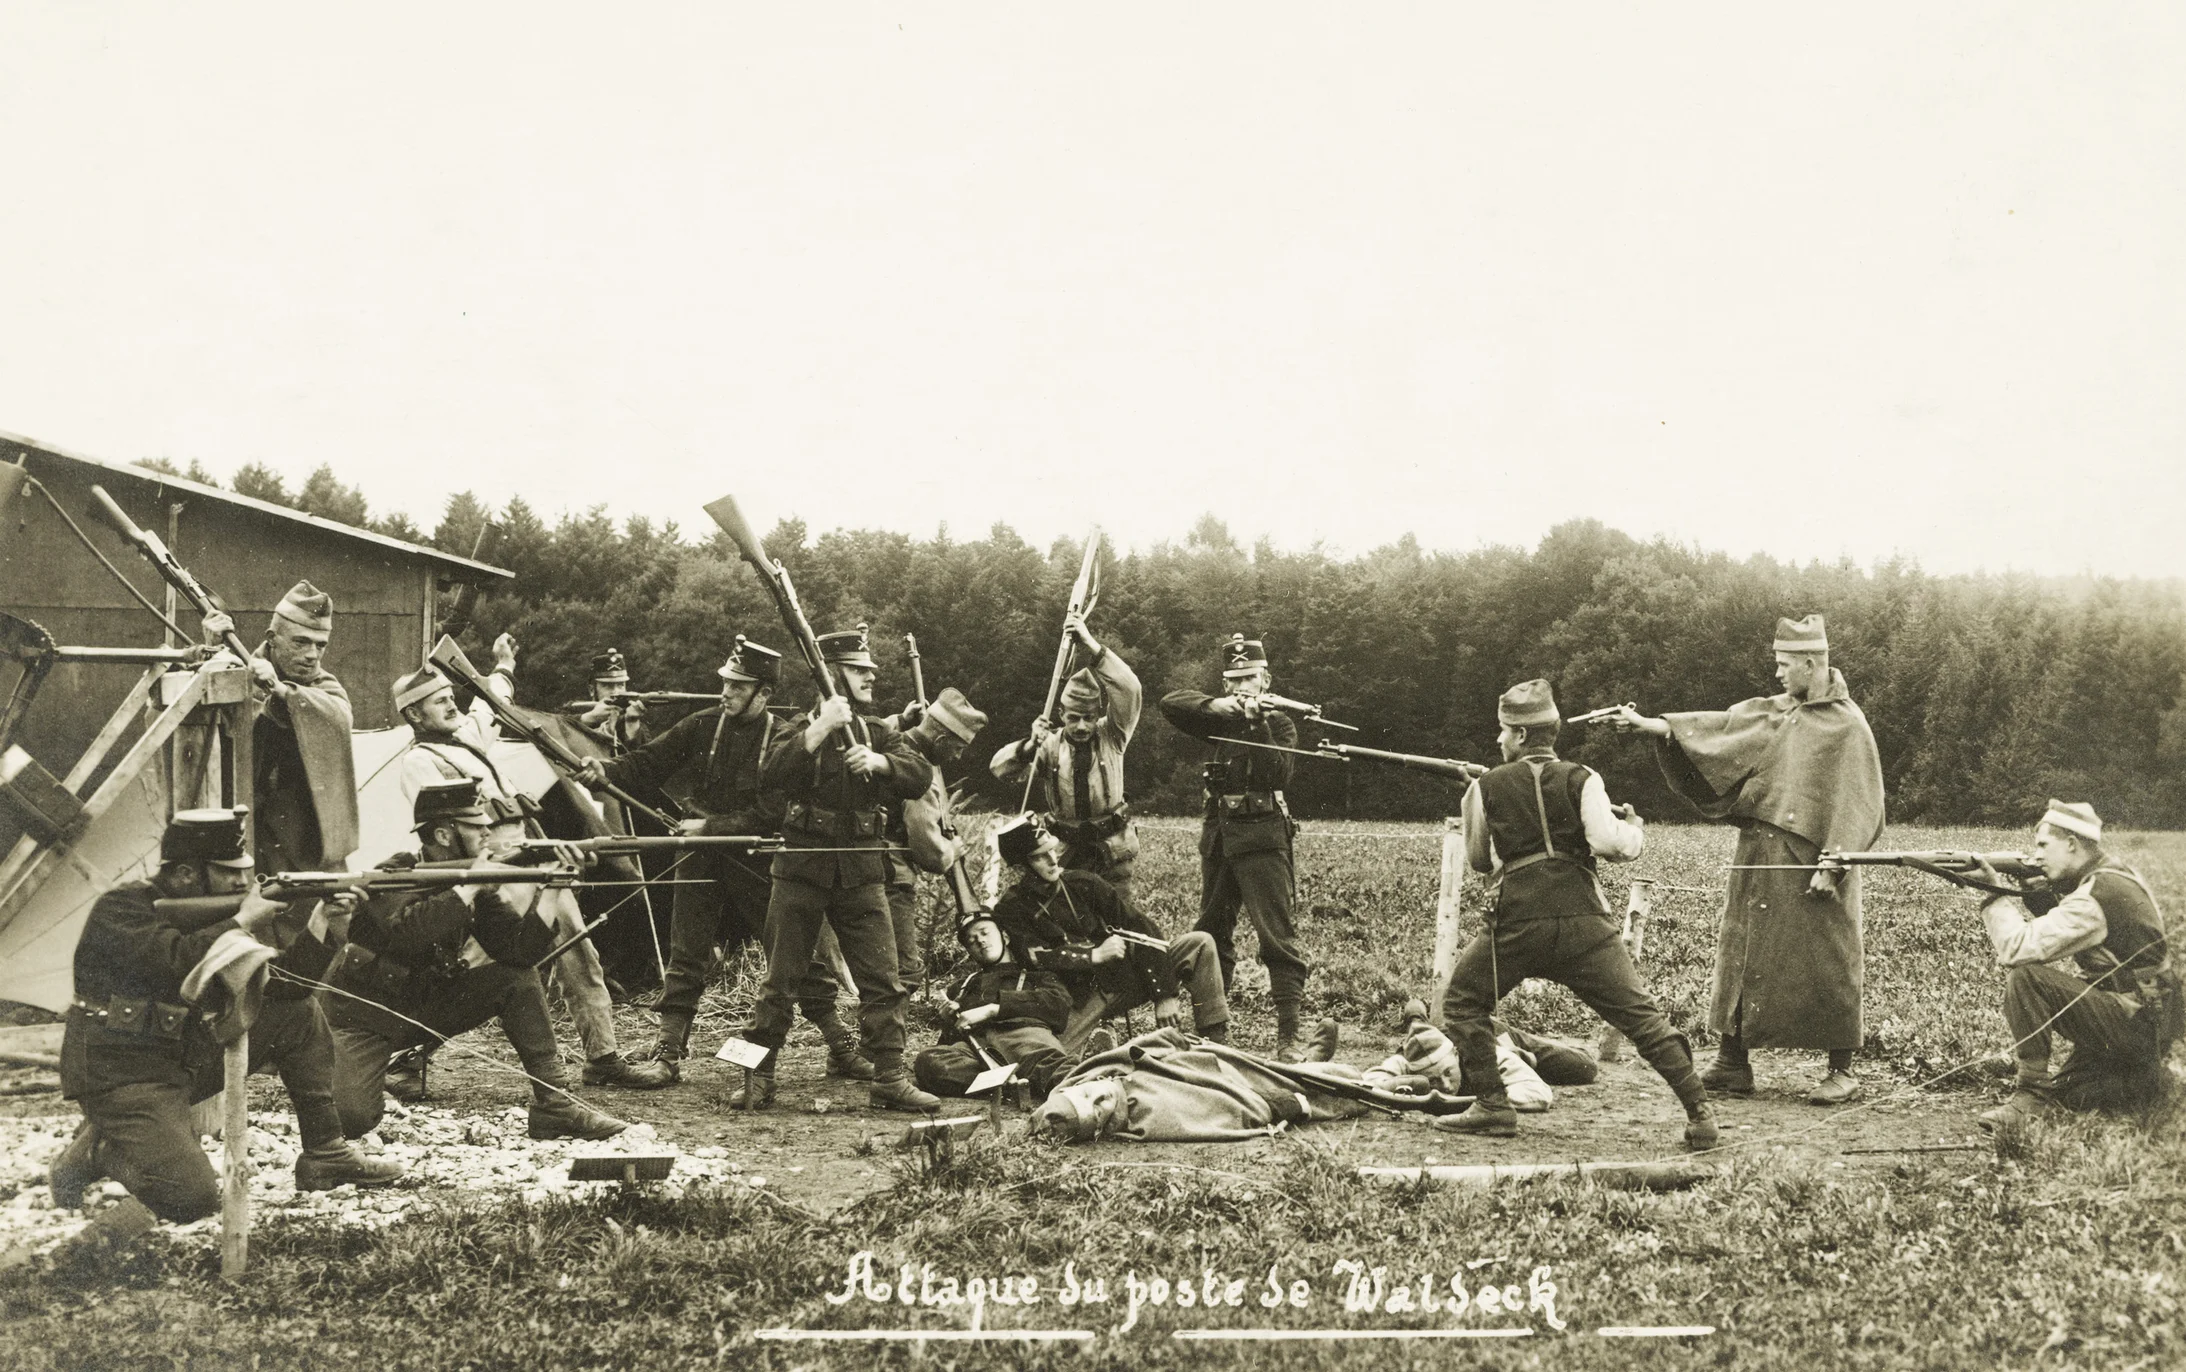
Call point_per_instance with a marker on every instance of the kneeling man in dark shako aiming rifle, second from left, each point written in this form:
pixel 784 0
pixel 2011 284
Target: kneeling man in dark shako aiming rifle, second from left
pixel 427 967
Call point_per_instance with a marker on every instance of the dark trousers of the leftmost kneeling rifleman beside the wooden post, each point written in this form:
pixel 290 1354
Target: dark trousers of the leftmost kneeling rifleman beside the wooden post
pixel 145 1137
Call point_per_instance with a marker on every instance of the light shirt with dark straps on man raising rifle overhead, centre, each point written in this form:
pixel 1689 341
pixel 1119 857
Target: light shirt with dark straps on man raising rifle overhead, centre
pixel 1083 783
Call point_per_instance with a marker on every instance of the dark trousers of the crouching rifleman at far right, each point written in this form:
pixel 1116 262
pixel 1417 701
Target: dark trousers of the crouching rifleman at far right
pixel 2117 1061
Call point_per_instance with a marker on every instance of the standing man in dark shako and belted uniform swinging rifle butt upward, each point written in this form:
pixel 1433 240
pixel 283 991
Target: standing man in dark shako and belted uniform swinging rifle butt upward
pixel 836 770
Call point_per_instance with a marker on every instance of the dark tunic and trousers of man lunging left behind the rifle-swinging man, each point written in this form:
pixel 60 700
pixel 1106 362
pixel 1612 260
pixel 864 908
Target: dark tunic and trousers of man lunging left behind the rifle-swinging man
pixel 718 759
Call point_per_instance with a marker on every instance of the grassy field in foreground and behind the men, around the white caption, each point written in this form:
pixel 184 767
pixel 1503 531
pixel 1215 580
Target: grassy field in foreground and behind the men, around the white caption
pixel 2065 1251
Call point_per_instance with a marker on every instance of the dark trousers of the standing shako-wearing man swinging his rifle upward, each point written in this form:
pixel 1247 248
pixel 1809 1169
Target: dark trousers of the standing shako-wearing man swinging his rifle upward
pixel 860 919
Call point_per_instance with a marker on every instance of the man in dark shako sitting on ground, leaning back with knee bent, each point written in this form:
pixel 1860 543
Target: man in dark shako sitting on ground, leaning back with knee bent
pixel 1077 925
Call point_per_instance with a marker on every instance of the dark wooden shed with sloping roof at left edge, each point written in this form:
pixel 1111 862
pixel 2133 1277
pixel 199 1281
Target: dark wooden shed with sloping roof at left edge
pixel 246 552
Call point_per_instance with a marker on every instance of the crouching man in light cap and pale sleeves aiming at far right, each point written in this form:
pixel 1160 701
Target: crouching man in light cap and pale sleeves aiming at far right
pixel 2124 1010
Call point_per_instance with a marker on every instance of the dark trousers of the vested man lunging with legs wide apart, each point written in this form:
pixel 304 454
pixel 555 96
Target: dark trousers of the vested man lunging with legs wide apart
pixel 1584 954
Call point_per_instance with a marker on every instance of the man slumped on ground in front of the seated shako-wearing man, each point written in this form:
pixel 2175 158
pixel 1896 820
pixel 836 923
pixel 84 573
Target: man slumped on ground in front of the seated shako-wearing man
pixel 1007 1010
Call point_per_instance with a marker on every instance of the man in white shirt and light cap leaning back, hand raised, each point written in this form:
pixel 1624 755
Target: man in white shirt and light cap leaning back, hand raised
pixel 454 744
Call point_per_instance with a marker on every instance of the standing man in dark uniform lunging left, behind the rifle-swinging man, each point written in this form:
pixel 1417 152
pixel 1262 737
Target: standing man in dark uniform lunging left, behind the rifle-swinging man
pixel 718 755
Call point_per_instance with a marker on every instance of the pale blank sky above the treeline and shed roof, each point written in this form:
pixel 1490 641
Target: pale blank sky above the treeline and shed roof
pixel 1850 281
